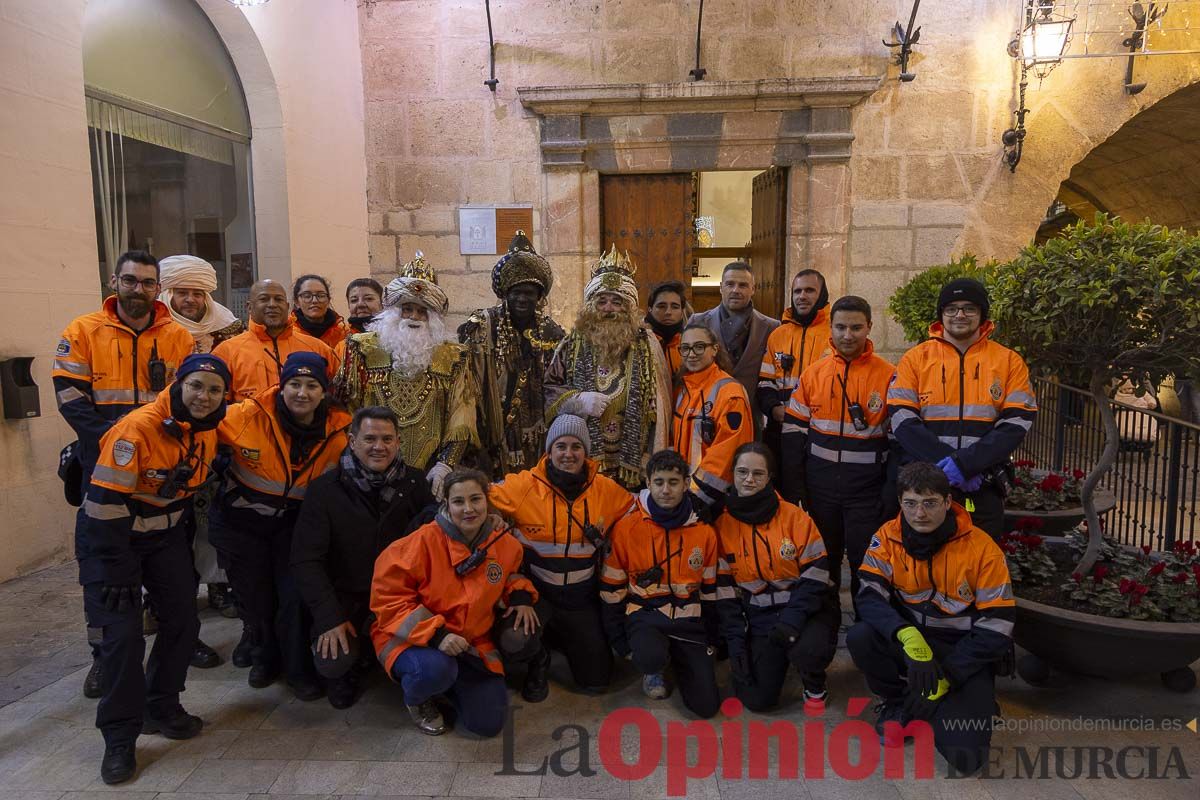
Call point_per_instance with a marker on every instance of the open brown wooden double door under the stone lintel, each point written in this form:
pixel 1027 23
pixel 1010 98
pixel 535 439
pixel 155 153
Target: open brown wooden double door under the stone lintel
pixel 653 218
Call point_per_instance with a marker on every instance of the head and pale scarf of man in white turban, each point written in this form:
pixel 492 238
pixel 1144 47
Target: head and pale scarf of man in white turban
pixel 188 285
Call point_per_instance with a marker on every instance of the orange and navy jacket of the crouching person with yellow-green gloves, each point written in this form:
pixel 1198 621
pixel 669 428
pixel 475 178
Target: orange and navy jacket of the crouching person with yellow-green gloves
pixel 962 597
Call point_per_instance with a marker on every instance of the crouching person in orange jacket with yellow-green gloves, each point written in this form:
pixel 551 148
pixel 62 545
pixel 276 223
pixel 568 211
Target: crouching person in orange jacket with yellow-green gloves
pixel 938 615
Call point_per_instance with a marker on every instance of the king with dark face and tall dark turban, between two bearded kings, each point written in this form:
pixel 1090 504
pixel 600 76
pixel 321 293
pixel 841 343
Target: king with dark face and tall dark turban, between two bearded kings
pixel 511 348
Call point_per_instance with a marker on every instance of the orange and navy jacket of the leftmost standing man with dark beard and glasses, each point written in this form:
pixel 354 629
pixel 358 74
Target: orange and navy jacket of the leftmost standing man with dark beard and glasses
pixel 101 370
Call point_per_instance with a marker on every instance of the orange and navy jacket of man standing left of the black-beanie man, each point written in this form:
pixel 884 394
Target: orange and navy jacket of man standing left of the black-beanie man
pixel 820 442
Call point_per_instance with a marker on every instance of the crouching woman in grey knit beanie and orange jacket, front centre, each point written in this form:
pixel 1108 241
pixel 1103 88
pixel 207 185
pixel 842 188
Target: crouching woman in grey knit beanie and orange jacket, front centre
pixel 562 512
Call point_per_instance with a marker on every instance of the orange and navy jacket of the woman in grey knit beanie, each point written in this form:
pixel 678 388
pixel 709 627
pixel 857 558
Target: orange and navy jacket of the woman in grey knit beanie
pixel 560 558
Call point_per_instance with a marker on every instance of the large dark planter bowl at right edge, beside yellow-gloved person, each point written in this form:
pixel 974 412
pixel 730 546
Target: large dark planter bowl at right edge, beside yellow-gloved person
pixel 1105 647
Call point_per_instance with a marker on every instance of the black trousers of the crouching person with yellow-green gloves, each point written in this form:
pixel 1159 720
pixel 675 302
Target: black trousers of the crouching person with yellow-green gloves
pixel 970 706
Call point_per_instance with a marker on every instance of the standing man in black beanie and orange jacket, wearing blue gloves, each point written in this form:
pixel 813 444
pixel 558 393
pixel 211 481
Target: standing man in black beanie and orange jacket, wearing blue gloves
pixel 964 402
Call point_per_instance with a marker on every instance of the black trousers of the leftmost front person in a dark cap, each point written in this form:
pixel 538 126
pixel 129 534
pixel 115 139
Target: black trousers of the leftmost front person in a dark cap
pixel 131 693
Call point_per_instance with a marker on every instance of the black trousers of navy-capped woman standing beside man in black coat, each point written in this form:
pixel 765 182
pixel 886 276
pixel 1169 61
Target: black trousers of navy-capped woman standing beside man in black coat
pixel 268 599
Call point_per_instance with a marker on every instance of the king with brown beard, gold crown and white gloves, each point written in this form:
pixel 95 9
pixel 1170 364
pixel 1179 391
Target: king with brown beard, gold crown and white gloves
pixel 613 374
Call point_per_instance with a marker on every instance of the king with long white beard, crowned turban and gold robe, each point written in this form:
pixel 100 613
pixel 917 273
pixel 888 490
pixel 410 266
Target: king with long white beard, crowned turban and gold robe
pixel 405 362
